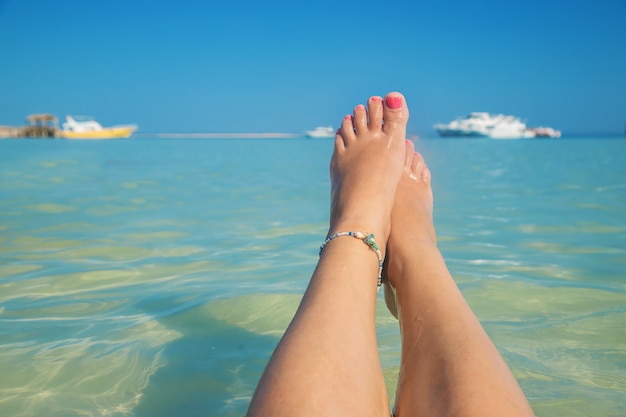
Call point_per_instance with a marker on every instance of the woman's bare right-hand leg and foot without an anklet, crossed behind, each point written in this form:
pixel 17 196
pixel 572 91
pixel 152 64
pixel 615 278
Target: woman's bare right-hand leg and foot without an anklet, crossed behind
pixel 449 366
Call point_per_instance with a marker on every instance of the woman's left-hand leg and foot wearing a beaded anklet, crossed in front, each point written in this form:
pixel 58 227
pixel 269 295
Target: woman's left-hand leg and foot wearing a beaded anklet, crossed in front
pixel 327 362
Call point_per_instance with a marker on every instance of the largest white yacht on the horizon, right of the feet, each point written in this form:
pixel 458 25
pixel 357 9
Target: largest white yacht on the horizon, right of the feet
pixel 482 124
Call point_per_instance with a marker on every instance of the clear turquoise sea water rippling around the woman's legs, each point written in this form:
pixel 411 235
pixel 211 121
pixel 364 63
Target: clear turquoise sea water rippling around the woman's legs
pixel 150 277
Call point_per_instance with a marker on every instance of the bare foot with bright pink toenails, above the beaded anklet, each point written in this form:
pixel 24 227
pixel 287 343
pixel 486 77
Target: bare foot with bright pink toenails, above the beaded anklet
pixel 366 166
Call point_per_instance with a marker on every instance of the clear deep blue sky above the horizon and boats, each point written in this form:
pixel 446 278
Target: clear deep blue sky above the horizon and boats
pixel 288 66
